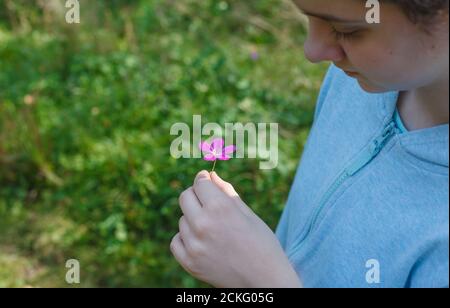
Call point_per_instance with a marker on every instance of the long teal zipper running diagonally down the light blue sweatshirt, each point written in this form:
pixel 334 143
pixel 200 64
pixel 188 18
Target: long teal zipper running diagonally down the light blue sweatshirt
pixel 362 160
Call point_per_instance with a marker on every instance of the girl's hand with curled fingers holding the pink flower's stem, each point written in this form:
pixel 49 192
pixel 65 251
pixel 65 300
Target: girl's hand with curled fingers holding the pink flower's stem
pixel 222 242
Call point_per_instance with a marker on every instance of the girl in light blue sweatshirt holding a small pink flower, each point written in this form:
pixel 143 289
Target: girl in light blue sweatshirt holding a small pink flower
pixel 369 203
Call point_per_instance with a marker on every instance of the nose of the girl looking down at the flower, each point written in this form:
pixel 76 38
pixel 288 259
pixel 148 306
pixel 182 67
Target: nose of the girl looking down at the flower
pixel 321 45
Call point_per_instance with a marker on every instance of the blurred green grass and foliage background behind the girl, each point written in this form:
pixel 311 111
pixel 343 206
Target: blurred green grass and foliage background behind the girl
pixel 85 115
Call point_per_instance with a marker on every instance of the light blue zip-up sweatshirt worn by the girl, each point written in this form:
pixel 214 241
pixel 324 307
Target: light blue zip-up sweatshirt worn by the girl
pixel 369 206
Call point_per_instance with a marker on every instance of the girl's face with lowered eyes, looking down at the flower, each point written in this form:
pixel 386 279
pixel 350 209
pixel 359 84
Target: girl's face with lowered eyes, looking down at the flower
pixel 394 55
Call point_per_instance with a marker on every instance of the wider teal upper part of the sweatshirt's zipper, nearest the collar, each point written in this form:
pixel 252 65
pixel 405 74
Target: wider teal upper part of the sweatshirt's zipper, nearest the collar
pixel 373 149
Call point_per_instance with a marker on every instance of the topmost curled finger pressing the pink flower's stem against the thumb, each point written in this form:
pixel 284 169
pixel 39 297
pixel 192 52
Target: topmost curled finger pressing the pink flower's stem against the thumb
pixel 206 191
